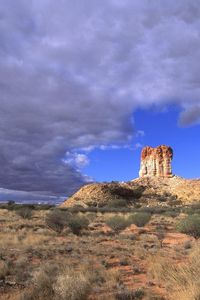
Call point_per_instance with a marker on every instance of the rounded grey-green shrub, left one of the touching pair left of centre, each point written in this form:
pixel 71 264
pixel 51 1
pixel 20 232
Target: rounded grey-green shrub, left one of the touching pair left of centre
pixel 57 220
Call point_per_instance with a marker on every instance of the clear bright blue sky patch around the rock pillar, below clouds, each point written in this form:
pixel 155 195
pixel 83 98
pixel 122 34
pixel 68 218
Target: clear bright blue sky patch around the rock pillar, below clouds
pixel 159 128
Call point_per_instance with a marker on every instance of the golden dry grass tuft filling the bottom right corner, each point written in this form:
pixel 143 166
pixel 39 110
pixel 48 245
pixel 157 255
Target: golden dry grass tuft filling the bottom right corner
pixel 182 280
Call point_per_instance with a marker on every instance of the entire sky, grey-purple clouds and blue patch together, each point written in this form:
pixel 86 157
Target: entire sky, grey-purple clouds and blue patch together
pixel 84 85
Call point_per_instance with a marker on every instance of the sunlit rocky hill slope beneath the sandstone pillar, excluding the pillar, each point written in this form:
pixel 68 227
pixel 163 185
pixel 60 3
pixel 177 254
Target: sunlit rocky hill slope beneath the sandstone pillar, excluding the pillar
pixel 141 191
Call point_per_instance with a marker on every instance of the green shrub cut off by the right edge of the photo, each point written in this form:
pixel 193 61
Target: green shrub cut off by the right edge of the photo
pixel 190 225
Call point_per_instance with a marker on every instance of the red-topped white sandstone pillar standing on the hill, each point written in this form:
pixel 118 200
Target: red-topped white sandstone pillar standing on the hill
pixel 156 162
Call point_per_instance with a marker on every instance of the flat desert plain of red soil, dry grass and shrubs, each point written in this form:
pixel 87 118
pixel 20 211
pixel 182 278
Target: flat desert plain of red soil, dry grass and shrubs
pixel 99 253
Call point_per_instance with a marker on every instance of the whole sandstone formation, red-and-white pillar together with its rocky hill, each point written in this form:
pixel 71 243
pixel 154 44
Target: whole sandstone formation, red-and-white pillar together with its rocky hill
pixel 155 187
